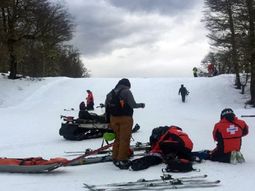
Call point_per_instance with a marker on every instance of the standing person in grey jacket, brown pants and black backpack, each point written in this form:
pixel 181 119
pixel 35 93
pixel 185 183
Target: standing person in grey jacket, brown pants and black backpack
pixel 119 106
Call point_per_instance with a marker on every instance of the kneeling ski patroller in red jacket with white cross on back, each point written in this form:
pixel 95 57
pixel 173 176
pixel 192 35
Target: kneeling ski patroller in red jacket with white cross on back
pixel 228 133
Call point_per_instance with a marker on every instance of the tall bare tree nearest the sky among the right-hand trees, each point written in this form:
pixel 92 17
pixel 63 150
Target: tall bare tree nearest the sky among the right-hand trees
pixel 220 20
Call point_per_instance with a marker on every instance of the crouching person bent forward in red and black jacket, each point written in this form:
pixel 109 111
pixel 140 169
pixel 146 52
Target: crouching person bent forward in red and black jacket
pixel 167 143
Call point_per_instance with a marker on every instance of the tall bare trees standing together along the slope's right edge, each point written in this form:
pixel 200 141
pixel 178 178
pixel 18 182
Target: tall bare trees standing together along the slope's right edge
pixel 232 34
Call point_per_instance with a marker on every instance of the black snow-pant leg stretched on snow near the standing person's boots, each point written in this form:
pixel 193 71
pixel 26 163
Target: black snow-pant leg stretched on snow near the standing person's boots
pixel 145 162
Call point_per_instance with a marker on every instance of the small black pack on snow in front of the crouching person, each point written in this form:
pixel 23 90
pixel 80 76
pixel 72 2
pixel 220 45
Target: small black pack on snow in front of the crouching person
pixel 179 165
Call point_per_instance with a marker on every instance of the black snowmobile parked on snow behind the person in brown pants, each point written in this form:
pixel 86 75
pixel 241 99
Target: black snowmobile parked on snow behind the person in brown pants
pixel 88 125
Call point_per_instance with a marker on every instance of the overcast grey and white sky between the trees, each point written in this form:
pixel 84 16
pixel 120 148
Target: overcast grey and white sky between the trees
pixel 139 38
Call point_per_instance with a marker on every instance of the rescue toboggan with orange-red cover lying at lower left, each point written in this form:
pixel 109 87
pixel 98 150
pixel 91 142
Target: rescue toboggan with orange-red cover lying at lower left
pixel 30 165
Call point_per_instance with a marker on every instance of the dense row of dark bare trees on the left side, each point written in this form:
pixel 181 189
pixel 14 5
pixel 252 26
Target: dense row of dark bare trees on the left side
pixel 33 37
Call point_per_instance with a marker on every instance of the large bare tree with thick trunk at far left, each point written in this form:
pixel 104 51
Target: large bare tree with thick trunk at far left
pixel 32 21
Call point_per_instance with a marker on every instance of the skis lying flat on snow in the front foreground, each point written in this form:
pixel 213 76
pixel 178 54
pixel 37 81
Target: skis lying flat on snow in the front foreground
pixel 164 183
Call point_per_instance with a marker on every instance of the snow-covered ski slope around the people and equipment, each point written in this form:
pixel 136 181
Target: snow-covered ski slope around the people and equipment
pixel 30 120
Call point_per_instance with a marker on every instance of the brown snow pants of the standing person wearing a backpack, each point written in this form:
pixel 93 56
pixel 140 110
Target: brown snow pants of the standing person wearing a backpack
pixel 122 127
